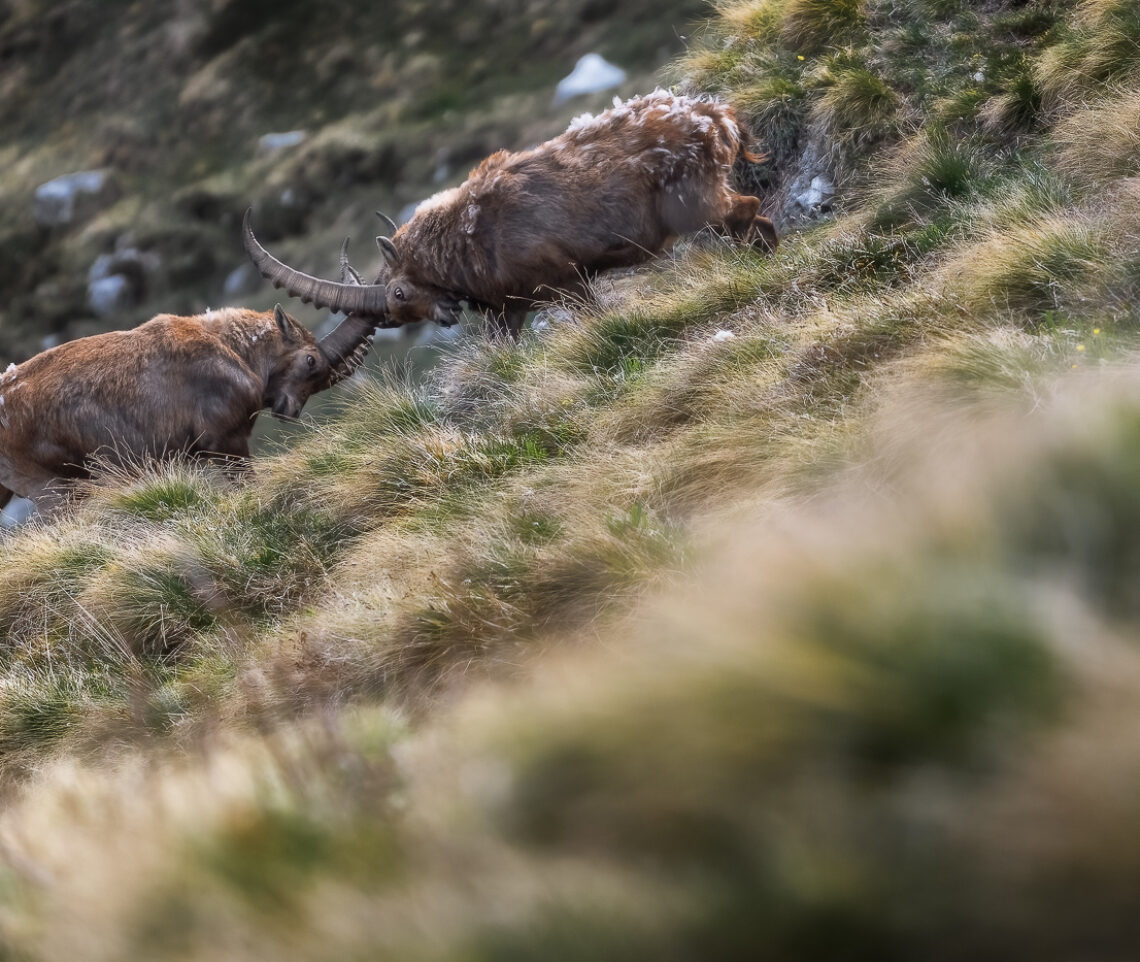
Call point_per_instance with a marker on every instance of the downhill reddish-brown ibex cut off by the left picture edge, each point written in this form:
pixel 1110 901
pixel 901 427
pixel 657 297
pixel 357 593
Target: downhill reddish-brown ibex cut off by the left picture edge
pixel 173 386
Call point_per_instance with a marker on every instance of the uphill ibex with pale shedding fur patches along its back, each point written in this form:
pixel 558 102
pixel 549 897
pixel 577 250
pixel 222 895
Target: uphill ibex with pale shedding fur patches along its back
pixel 614 191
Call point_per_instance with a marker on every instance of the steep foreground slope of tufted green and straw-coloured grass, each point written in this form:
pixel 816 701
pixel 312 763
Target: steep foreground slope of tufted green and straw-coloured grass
pixel 772 607
